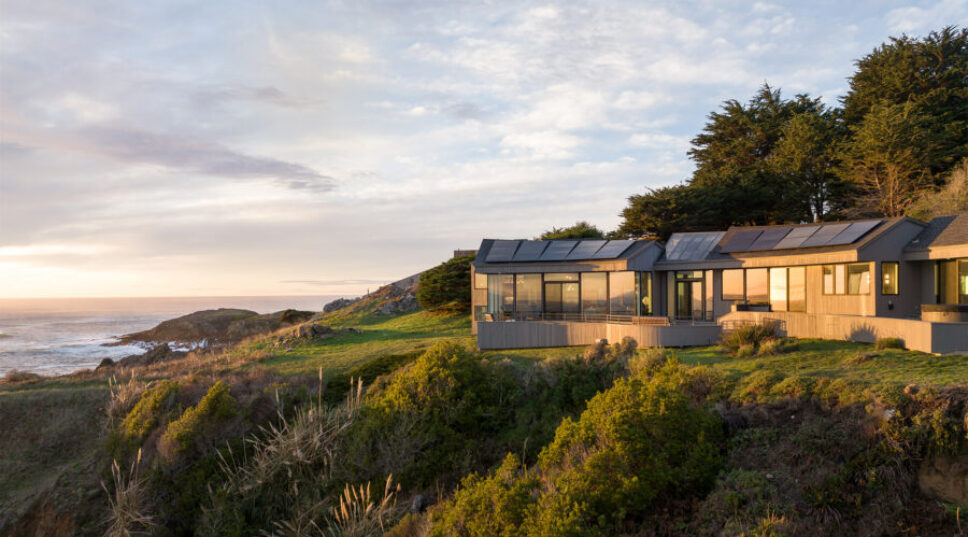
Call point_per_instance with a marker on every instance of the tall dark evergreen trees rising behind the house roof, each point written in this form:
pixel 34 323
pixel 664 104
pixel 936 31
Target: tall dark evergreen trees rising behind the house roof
pixel 901 132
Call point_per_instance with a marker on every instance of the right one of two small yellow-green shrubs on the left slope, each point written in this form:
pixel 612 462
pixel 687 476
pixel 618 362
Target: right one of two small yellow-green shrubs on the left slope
pixel 198 421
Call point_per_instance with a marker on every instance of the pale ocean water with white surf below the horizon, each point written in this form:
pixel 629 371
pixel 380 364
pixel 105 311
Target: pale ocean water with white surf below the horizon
pixel 54 336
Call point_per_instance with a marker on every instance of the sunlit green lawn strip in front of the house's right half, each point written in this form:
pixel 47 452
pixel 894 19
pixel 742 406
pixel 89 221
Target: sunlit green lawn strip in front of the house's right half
pixel 838 359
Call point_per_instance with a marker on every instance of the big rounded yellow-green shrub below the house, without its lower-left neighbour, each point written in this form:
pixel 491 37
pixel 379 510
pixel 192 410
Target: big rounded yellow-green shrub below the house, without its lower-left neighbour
pixel 636 442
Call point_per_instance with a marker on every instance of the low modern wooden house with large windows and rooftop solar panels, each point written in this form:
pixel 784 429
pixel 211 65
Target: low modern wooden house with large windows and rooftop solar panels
pixel 860 280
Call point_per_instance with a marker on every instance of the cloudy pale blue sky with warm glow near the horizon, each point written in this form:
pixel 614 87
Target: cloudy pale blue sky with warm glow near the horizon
pixel 324 148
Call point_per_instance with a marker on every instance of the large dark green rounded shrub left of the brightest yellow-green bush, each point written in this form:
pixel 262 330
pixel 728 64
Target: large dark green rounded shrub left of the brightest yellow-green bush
pixel 439 415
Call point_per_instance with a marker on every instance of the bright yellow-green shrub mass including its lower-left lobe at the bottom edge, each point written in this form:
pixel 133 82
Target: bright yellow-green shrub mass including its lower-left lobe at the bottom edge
pixel 637 442
